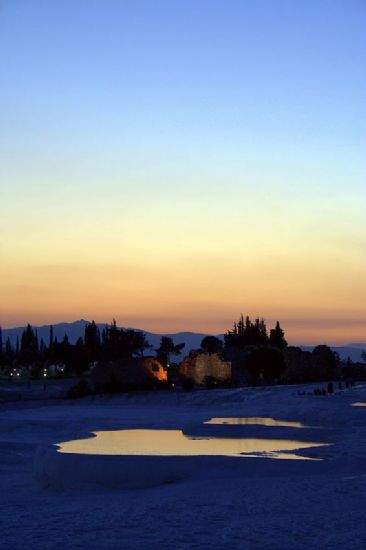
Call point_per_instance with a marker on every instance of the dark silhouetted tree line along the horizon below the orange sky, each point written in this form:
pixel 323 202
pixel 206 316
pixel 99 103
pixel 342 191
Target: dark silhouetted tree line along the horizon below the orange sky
pixel 257 355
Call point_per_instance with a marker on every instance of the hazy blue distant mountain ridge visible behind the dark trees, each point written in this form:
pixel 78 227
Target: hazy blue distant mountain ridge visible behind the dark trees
pixel 192 340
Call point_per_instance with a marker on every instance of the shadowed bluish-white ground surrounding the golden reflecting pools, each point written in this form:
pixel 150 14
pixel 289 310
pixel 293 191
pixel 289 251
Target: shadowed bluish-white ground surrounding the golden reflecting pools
pixel 220 502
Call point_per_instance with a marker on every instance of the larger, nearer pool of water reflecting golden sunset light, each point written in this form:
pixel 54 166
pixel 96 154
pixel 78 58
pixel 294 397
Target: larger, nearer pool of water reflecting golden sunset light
pixel 175 443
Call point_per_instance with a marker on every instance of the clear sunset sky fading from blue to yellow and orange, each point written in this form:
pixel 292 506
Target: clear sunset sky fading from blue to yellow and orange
pixel 174 164
